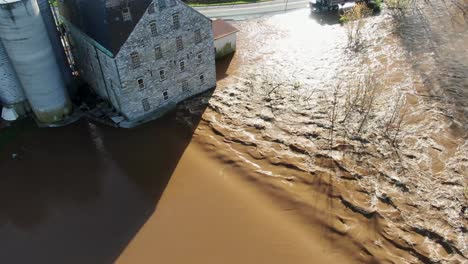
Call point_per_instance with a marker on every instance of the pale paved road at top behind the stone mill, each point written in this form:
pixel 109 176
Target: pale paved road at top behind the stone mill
pixel 251 10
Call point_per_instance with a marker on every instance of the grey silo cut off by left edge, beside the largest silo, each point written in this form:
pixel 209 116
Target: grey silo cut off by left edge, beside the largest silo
pixel 11 92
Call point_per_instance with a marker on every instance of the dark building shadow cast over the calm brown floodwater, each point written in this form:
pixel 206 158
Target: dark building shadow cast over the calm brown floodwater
pixel 79 194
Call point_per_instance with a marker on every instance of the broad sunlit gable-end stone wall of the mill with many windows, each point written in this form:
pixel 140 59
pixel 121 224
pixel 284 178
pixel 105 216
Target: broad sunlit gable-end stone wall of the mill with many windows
pixel 142 42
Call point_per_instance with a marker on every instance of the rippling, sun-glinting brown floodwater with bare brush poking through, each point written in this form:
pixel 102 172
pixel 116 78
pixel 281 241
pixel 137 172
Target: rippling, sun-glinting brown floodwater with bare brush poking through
pixel 272 119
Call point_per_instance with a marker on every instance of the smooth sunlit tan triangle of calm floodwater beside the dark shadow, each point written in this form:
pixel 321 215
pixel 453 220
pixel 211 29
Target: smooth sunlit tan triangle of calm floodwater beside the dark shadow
pixel 209 215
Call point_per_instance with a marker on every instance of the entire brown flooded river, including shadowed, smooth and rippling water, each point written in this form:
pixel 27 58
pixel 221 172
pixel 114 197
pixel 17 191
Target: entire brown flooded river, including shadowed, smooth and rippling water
pixel 256 171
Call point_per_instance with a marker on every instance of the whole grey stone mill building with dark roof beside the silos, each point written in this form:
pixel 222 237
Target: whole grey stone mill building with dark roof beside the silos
pixel 141 56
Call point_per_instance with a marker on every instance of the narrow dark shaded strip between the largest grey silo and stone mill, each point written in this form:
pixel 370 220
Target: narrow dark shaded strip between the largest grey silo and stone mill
pixel 55 40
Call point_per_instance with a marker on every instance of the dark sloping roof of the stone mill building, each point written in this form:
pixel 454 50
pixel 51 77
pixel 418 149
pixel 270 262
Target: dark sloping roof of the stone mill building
pixel 102 20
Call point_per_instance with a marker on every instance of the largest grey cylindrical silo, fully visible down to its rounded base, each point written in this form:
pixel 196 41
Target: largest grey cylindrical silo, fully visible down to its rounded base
pixel 27 43
